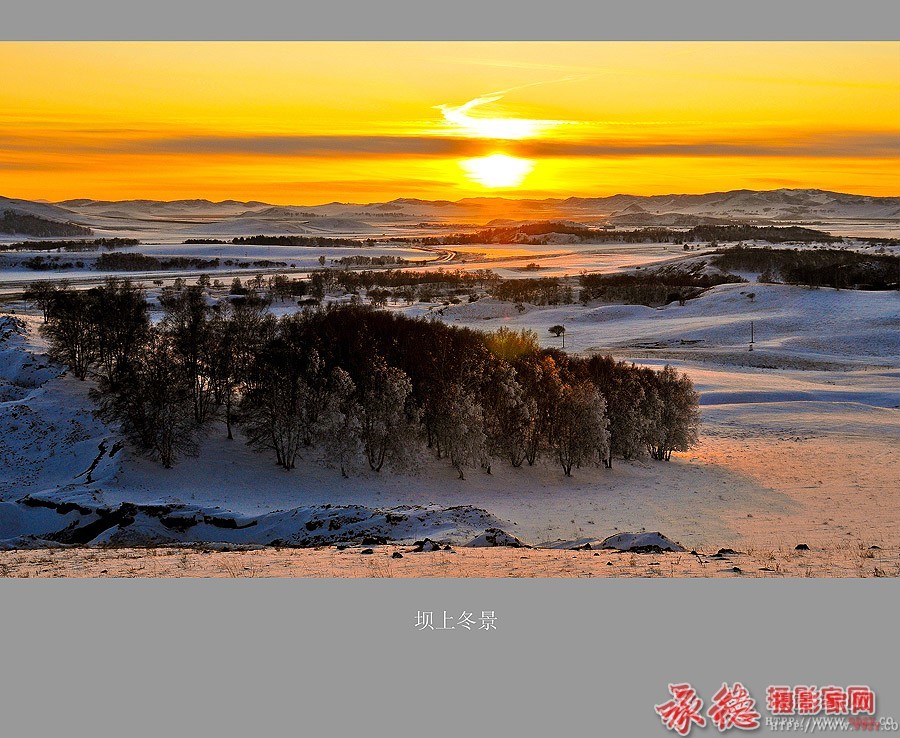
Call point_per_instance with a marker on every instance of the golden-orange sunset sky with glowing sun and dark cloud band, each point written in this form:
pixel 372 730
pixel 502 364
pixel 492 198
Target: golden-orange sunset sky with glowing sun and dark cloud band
pixel 313 122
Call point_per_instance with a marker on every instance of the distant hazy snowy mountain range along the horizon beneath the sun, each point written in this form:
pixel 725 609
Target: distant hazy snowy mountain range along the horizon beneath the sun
pixel 235 217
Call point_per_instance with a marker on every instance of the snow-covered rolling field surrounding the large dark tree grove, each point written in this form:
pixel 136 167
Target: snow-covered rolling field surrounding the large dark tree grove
pixel 799 444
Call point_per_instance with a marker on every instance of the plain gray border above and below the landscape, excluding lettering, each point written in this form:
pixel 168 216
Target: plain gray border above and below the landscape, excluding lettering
pixel 297 657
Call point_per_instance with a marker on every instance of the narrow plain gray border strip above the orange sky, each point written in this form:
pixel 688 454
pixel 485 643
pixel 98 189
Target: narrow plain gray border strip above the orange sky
pixel 452 20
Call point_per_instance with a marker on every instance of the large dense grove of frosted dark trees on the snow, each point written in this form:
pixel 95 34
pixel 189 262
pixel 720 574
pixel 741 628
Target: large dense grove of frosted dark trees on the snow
pixel 357 384
